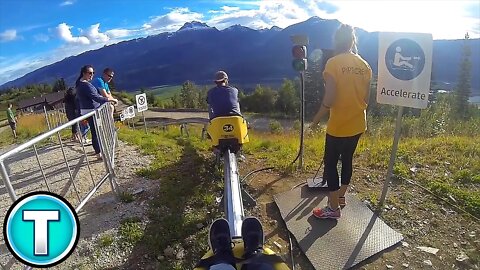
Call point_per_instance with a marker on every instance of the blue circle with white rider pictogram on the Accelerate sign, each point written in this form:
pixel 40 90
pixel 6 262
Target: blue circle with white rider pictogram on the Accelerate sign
pixel 405 59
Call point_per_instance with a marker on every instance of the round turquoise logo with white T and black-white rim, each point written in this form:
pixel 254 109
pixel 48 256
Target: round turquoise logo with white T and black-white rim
pixel 41 229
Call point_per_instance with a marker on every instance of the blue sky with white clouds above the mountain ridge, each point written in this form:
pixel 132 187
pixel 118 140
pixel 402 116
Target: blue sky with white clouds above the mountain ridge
pixel 35 33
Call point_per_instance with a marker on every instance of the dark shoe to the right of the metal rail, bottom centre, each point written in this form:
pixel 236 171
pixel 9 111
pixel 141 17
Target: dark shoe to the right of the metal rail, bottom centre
pixel 253 237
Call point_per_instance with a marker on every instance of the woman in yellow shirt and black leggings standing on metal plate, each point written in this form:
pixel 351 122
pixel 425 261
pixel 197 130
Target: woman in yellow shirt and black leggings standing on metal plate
pixel 347 89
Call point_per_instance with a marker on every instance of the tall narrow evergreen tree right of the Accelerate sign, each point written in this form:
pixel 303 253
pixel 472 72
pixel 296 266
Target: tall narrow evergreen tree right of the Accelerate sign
pixel 463 86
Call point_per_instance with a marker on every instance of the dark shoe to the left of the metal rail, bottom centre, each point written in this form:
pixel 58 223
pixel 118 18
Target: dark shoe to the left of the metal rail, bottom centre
pixel 220 240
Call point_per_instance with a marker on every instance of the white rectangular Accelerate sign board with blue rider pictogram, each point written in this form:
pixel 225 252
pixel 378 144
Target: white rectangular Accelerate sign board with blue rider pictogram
pixel 404 69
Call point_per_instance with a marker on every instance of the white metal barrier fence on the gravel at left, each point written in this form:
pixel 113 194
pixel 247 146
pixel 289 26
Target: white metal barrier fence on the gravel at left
pixel 51 163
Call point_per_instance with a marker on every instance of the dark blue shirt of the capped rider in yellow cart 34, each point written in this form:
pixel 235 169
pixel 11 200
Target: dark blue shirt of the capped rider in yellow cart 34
pixel 223 101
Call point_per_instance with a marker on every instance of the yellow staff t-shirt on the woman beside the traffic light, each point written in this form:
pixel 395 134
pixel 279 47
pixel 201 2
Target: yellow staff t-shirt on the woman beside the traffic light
pixel 352 75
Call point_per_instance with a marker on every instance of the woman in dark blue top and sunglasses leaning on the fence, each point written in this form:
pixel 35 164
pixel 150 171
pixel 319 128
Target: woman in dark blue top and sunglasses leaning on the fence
pixel 89 99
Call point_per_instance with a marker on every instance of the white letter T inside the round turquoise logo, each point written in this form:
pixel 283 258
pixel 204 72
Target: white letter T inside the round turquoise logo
pixel 40 220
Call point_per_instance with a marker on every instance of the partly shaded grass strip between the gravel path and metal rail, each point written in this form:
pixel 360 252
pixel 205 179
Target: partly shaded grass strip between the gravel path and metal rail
pixel 189 184
